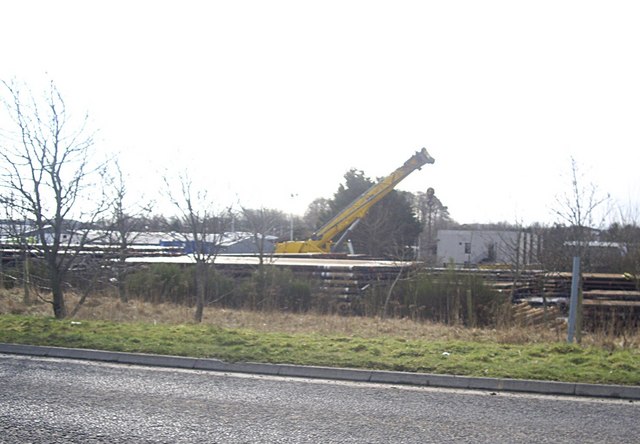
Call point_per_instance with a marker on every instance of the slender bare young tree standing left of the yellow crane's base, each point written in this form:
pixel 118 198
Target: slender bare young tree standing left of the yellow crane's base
pixel 205 231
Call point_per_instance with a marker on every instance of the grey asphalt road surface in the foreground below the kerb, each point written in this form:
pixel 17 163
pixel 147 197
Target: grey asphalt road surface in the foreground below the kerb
pixel 45 400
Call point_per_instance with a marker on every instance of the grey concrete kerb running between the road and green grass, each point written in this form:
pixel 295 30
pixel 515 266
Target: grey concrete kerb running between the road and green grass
pixel 313 372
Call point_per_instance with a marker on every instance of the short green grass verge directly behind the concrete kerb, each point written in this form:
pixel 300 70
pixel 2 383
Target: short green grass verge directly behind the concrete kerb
pixel 555 361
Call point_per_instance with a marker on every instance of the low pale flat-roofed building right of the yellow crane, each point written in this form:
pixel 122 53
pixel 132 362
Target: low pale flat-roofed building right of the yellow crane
pixel 475 247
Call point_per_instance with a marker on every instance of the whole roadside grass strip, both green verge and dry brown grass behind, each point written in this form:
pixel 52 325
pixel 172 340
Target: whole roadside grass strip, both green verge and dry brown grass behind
pixel 395 344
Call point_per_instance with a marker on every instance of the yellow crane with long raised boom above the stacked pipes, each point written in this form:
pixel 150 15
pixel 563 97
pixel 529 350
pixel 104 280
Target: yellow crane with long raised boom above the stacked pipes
pixel 347 219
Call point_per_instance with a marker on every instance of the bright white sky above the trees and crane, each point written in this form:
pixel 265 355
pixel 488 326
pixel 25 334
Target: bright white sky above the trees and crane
pixel 265 100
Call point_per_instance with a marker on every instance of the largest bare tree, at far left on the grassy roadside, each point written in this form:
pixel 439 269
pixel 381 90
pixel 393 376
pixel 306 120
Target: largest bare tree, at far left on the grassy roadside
pixel 47 164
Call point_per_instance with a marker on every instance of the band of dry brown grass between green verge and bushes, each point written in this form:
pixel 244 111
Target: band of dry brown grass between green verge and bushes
pixel 109 307
